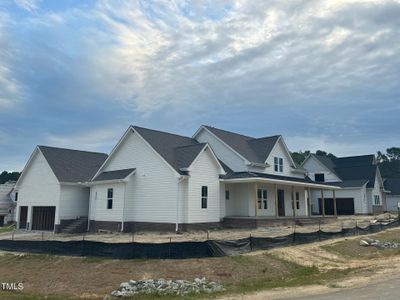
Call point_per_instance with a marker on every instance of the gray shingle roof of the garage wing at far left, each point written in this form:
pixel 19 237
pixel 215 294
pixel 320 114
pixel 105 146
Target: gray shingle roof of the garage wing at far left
pixel 73 165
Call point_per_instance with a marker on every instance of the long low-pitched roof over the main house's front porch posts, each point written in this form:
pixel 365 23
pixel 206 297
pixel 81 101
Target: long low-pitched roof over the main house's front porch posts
pixel 242 177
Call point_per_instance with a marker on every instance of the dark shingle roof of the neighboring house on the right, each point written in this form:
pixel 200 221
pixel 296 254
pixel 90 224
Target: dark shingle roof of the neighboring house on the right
pixel 352 168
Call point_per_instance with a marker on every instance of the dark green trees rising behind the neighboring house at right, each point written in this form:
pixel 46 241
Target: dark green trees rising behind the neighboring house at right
pixel 389 162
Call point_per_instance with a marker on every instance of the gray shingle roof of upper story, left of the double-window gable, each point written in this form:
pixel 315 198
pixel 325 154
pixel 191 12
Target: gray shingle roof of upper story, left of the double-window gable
pixel 253 149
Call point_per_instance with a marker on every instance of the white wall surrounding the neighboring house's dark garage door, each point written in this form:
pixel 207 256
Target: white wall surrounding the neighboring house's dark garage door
pixel 359 195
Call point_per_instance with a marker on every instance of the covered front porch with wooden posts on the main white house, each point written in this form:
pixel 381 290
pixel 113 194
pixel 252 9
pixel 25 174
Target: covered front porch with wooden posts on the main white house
pixel 277 197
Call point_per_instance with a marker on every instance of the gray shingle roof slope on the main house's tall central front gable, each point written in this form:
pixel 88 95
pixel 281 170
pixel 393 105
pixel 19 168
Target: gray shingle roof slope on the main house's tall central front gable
pixel 179 151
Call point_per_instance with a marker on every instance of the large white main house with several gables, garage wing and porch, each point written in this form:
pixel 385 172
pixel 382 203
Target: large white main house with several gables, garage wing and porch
pixel 158 180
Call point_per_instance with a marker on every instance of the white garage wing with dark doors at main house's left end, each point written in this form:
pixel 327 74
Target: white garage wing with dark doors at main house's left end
pixel 51 189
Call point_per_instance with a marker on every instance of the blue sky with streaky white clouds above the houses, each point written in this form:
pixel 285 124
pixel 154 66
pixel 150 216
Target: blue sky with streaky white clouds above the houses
pixel 74 73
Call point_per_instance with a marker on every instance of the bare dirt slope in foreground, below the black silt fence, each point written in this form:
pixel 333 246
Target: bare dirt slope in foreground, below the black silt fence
pixel 94 277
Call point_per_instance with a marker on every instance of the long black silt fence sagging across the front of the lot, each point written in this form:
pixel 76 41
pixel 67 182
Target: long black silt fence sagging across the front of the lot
pixel 181 250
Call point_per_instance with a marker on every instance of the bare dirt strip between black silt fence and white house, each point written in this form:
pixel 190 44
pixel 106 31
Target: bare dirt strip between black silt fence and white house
pixel 221 234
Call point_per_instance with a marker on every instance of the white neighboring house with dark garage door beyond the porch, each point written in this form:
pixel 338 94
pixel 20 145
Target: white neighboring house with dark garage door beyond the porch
pixel 359 177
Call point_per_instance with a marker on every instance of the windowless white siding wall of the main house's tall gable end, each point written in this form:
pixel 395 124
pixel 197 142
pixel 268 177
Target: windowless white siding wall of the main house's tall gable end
pixel 151 193
